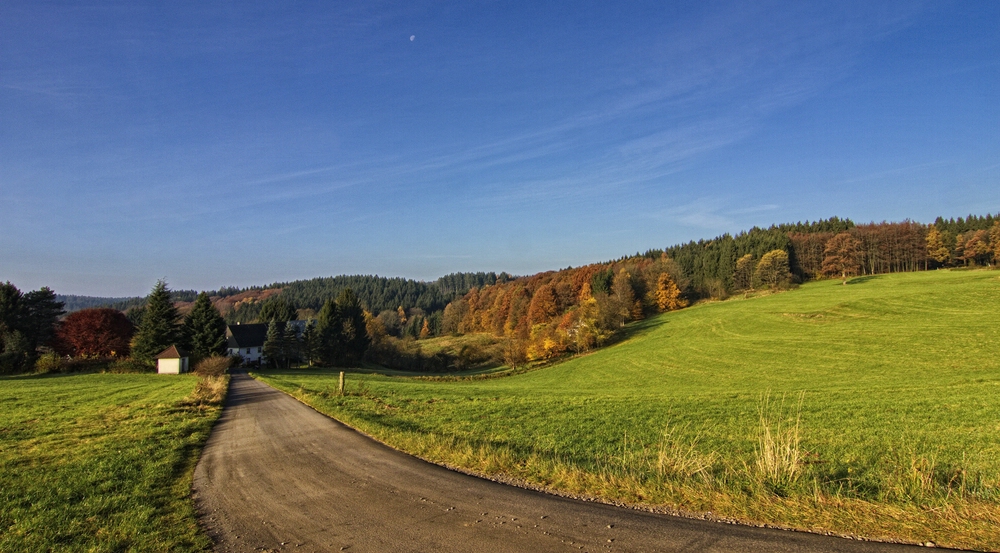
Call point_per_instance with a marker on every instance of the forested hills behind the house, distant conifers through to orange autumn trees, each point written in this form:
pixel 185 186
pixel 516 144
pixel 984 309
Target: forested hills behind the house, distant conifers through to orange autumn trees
pixel 549 314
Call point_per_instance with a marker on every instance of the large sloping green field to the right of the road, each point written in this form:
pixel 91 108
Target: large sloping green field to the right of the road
pixel 871 409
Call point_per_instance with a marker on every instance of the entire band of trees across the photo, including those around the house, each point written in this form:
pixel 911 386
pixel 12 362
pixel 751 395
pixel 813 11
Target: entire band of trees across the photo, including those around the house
pixel 536 317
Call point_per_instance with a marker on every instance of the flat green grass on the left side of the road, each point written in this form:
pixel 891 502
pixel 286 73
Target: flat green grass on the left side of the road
pixel 102 462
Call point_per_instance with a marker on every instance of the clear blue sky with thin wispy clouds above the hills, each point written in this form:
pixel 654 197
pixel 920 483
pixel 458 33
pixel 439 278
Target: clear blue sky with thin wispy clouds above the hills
pixel 246 143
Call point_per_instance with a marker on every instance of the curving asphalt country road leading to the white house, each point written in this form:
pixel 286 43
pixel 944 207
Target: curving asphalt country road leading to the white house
pixel 276 475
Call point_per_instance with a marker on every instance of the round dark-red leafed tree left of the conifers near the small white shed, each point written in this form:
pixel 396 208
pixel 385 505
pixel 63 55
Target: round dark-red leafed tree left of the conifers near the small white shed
pixel 100 332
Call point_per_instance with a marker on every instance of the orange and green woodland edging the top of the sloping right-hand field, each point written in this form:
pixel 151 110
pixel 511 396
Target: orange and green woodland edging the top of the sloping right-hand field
pixel 548 314
